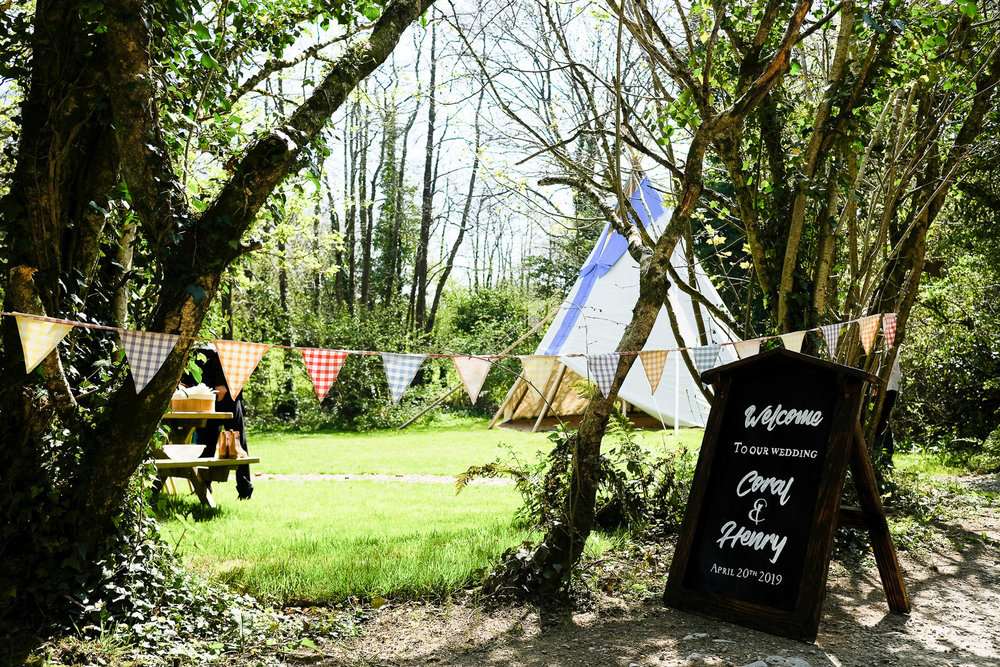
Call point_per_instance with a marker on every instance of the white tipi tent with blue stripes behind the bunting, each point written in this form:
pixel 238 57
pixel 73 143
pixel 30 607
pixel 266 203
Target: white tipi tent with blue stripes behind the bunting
pixel 592 320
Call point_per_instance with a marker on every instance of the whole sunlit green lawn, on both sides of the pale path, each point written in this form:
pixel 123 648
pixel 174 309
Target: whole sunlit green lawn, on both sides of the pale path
pixel 324 541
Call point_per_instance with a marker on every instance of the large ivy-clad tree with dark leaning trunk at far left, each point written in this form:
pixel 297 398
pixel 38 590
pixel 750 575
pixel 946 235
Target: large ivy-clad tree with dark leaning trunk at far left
pixel 116 95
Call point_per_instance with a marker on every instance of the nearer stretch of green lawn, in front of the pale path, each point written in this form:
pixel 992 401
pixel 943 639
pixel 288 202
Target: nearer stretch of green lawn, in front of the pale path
pixel 317 542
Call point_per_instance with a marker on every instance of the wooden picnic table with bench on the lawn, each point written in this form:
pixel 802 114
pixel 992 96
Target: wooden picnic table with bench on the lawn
pixel 199 471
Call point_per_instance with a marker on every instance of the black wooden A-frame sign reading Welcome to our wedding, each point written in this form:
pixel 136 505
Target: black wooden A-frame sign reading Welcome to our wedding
pixel 756 539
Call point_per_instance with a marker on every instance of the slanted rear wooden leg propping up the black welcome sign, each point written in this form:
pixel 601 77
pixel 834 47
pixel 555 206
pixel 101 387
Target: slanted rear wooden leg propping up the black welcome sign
pixel 878 527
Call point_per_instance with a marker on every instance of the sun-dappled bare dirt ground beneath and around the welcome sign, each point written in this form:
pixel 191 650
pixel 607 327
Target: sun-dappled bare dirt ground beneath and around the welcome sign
pixel 953 580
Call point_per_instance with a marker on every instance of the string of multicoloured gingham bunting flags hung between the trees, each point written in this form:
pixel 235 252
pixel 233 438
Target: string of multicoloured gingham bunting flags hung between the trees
pixel 146 352
